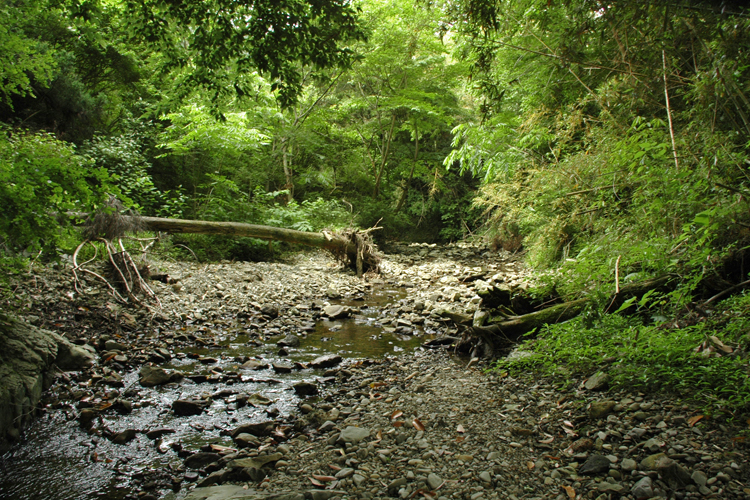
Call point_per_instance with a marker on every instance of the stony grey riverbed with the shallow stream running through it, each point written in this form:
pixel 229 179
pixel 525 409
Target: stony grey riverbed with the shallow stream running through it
pixel 232 389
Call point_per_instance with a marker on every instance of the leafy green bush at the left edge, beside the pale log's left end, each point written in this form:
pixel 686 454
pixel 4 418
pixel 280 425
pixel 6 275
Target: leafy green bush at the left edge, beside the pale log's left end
pixel 41 179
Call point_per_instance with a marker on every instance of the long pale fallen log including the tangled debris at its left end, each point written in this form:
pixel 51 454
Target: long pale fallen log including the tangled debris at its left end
pixel 352 247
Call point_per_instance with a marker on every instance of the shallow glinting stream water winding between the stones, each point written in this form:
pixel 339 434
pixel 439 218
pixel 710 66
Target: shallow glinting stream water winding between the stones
pixel 58 460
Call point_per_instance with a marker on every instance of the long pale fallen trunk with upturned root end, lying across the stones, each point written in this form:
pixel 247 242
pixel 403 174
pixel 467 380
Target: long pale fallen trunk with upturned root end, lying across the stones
pixel 352 247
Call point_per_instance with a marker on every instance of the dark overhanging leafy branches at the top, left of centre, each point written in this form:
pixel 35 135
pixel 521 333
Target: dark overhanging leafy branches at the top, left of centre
pixel 214 43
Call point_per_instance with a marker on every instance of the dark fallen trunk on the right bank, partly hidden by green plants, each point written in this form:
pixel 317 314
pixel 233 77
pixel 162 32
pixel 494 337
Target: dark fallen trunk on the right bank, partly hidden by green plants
pixel 501 335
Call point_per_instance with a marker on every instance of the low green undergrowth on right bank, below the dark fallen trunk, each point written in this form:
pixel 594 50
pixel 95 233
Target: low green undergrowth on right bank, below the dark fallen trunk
pixel 683 359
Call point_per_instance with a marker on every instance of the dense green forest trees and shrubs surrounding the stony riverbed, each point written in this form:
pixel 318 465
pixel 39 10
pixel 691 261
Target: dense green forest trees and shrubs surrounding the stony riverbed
pixel 608 141
